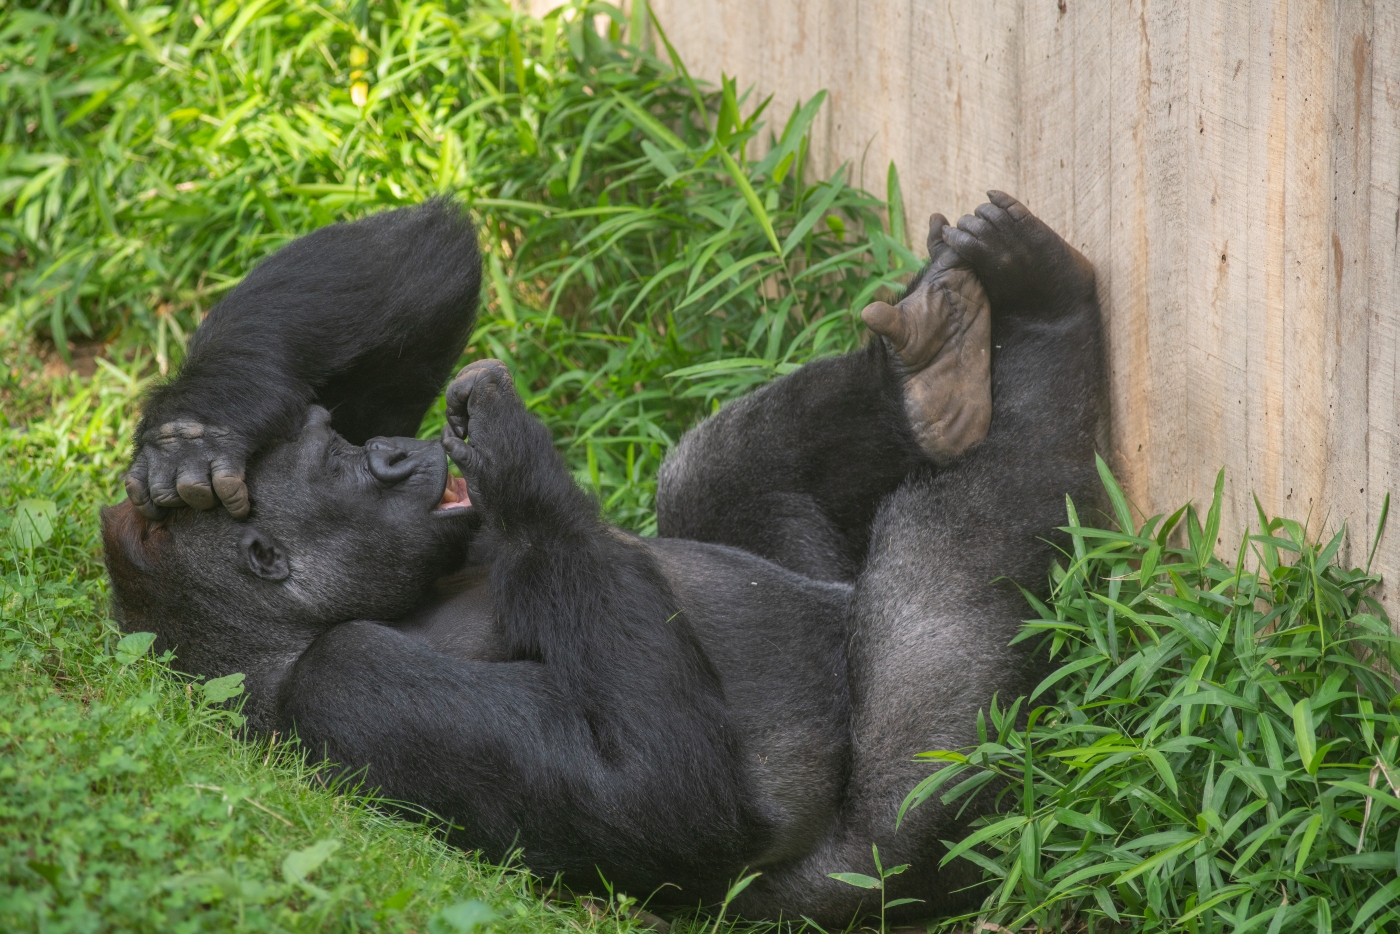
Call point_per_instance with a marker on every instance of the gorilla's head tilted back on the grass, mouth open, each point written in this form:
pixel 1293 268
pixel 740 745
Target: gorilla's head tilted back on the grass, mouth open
pixel 328 520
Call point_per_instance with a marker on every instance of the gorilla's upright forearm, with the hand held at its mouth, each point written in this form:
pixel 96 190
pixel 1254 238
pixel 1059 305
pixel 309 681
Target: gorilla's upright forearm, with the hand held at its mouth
pixel 572 592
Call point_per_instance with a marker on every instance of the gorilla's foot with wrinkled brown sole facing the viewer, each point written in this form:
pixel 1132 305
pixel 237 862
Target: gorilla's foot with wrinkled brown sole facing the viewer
pixel 940 335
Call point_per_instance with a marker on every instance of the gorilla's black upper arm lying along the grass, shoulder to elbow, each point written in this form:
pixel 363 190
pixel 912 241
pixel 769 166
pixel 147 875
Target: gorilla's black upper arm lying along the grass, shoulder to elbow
pixel 534 755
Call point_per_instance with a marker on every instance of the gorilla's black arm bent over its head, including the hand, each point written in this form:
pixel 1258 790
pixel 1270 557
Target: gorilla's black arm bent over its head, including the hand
pixel 363 319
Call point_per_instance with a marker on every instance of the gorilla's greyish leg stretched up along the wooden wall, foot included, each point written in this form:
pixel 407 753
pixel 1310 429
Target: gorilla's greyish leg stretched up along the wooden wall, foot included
pixel 932 611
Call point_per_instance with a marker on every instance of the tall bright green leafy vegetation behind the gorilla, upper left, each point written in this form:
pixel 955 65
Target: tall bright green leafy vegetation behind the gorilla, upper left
pixel 653 247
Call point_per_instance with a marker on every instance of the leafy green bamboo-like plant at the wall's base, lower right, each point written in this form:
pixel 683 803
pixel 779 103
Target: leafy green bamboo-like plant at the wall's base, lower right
pixel 1219 753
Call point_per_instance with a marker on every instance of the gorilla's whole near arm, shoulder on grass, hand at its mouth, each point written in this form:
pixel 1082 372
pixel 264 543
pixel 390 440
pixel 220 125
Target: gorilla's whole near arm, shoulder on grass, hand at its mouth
pixel 607 743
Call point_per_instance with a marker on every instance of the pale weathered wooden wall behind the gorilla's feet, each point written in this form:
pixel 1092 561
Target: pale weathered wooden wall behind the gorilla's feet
pixel 1231 167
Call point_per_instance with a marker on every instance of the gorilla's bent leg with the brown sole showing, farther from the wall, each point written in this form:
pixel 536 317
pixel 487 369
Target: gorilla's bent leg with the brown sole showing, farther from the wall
pixel 796 471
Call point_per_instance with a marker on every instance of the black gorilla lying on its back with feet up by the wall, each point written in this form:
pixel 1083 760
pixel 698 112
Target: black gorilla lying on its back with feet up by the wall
pixel 829 594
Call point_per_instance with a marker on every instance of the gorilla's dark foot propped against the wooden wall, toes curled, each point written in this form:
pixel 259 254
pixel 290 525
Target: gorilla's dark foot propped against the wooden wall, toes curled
pixel 1025 267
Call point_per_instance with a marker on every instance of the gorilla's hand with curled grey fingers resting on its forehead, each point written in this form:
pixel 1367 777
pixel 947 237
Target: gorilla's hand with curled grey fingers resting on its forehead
pixel 184 463
